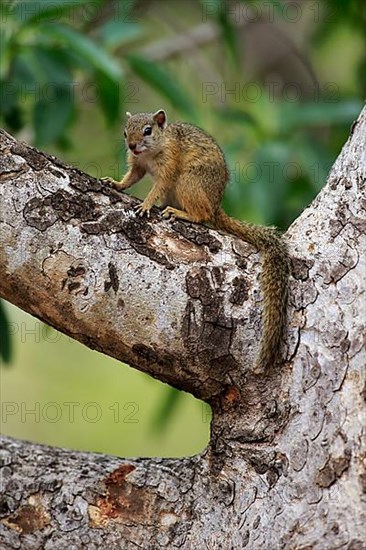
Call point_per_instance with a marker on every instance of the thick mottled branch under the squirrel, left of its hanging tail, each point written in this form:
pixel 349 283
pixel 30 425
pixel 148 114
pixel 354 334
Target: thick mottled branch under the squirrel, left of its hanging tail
pixel 176 300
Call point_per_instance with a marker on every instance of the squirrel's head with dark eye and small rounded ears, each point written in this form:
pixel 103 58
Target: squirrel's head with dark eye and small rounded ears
pixel 144 131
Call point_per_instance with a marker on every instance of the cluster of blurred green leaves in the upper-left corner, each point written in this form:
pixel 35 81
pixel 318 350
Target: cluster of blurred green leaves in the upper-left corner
pixel 41 61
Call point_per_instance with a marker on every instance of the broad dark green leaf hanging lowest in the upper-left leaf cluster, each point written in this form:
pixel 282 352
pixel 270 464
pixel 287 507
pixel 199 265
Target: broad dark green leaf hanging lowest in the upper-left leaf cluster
pixel 52 115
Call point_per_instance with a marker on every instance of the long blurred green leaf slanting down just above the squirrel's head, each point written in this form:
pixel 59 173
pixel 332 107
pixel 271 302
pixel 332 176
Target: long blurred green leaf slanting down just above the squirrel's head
pixel 162 81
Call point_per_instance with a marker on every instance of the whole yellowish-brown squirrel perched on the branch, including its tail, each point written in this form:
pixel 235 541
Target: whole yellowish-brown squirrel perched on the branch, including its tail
pixel 190 174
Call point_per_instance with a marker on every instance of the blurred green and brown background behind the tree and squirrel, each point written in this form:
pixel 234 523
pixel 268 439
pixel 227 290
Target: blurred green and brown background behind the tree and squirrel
pixel 278 83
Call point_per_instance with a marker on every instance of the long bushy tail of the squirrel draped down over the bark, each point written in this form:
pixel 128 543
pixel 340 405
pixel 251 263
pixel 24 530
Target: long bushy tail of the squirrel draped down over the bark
pixel 274 282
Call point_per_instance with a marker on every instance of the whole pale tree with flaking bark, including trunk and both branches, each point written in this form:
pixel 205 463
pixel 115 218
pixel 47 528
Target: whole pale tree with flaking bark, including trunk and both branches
pixel 285 467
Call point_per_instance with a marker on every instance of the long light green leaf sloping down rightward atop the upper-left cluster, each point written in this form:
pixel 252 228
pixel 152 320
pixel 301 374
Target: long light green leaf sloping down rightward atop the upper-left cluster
pixel 86 48
